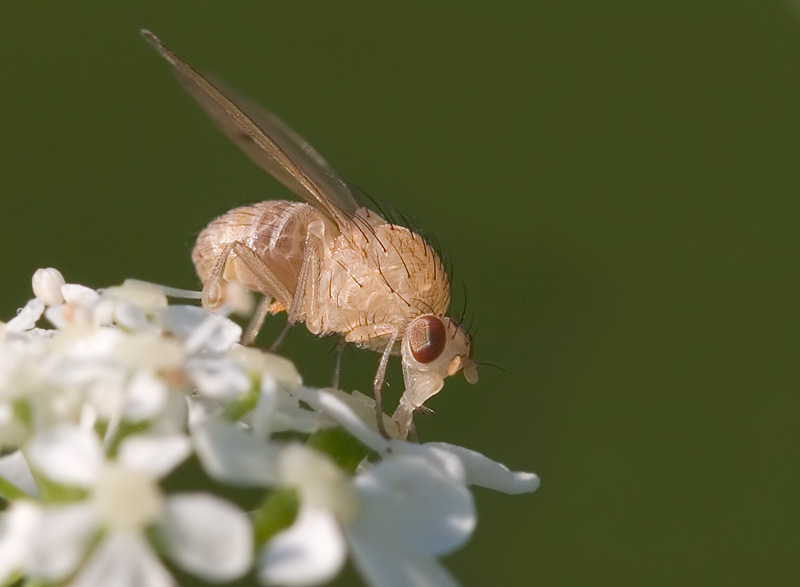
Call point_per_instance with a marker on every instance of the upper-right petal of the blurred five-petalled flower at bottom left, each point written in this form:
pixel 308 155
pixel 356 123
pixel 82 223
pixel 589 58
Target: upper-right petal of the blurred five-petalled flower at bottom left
pixel 156 454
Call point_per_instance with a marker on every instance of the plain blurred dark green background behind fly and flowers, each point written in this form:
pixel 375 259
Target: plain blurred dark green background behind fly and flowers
pixel 617 183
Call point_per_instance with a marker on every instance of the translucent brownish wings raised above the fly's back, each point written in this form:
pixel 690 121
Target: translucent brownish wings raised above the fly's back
pixel 269 143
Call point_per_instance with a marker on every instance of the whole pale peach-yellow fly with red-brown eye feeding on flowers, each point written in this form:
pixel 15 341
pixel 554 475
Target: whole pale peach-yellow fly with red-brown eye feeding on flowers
pixel 330 262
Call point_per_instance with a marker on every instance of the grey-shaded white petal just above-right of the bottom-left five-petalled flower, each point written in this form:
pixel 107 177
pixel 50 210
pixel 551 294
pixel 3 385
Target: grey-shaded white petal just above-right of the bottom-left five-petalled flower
pixel 230 454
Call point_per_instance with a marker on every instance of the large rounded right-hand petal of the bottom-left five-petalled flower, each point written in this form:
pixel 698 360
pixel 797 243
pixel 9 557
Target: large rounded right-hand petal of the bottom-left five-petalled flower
pixel 208 536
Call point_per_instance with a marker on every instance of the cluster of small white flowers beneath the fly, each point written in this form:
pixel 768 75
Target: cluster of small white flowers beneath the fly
pixel 98 410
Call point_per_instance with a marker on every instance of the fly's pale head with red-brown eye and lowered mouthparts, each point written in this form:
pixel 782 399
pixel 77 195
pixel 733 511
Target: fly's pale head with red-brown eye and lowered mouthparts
pixel 434 347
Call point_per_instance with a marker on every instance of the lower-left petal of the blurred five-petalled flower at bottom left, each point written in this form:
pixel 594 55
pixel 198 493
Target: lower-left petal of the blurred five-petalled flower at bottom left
pixel 62 536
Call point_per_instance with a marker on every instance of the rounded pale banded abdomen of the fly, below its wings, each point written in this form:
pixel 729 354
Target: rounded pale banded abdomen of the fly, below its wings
pixel 273 230
